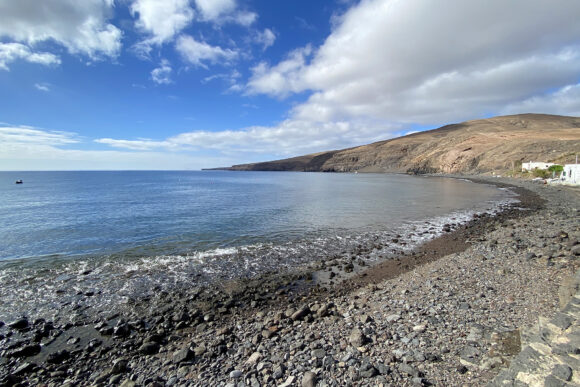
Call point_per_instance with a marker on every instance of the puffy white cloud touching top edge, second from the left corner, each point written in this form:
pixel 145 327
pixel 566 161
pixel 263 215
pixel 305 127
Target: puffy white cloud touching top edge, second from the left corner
pixel 162 20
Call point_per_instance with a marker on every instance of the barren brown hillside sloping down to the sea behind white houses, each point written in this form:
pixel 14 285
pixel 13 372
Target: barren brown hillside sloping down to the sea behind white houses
pixel 478 146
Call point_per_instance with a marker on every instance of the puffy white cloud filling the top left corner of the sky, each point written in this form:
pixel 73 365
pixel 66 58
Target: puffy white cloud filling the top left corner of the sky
pixel 80 26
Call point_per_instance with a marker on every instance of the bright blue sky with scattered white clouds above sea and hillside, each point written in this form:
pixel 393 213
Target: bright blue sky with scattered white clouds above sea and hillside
pixel 191 84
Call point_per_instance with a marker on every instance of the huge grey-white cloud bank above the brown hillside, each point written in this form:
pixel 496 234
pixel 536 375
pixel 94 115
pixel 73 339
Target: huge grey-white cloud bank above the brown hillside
pixel 429 62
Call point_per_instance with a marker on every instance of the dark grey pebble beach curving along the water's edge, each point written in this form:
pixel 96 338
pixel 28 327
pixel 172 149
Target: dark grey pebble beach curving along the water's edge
pixel 424 317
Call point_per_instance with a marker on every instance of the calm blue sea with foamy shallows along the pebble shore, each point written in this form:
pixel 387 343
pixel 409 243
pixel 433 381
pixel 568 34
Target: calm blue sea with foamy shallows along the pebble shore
pixel 102 239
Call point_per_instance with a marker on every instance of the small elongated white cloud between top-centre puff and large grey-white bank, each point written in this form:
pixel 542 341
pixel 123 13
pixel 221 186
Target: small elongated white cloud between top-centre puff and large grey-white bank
pixel 198 53
